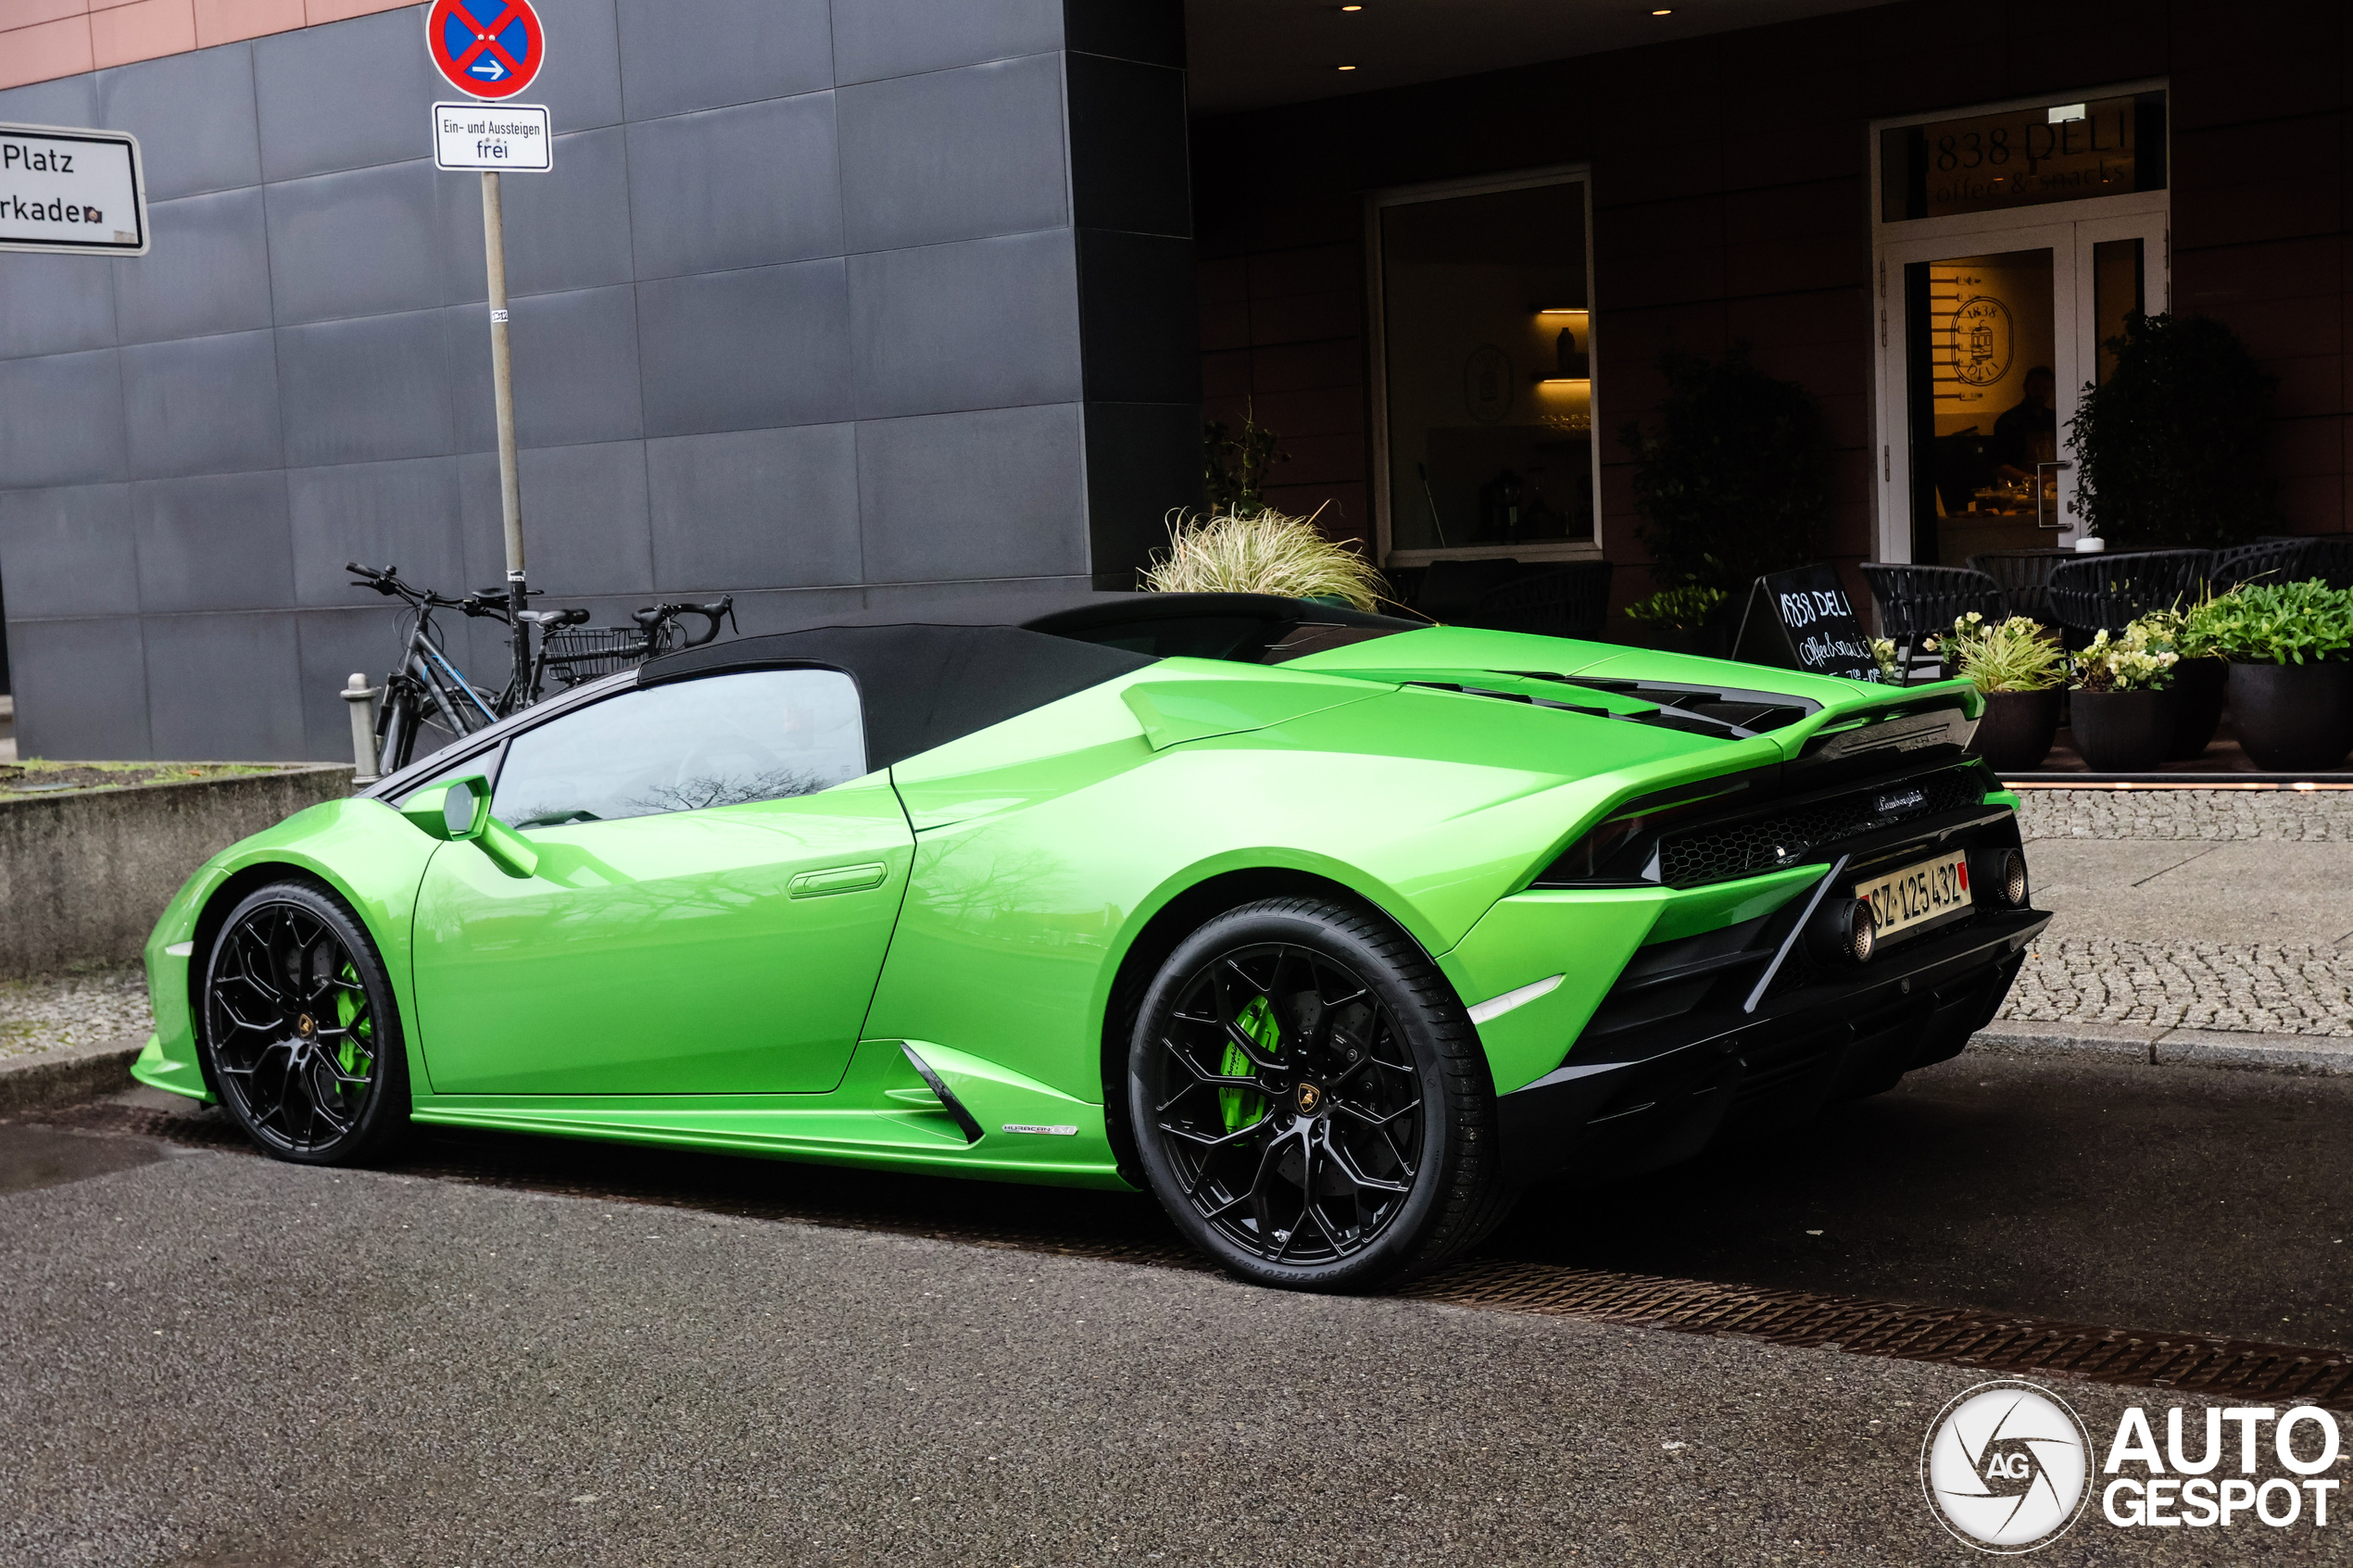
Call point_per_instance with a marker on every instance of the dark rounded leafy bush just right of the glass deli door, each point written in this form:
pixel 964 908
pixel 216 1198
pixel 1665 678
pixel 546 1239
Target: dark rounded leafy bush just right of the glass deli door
pixel 2164 445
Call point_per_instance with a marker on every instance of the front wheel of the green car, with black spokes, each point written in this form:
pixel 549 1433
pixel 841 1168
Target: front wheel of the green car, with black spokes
pixel 300 1031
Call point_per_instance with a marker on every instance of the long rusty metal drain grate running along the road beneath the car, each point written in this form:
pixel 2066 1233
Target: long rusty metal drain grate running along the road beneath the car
pixel 1945 1336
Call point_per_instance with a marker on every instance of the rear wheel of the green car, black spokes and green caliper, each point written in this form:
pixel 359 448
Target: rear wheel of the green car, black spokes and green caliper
pixel 1312 1104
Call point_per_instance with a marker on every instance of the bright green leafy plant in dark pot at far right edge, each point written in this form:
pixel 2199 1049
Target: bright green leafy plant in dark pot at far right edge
pixel 2291 676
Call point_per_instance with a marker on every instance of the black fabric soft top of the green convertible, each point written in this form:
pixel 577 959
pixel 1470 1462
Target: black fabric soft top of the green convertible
pixel 940 674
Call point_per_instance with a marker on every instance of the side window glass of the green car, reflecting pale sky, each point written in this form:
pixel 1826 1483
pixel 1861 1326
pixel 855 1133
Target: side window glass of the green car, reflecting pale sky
pixel 716 742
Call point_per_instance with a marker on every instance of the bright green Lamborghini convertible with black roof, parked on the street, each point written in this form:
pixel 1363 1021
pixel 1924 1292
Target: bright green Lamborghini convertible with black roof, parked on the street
pixel 1328 930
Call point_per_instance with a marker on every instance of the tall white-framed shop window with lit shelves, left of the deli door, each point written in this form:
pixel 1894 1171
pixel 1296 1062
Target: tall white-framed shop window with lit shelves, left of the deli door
pixel 1488 370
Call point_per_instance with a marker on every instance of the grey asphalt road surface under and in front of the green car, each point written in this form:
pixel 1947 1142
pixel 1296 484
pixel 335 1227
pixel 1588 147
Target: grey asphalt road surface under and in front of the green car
pixel 229 1362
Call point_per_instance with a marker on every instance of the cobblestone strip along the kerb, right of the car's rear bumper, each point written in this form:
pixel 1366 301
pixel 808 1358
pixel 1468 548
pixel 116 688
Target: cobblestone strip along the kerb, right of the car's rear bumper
pixel 2187 986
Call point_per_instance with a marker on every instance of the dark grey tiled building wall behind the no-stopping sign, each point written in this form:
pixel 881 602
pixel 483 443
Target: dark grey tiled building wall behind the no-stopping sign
pixel 881 300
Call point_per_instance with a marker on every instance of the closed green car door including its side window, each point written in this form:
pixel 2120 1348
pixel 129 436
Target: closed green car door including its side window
pixel 719 878
